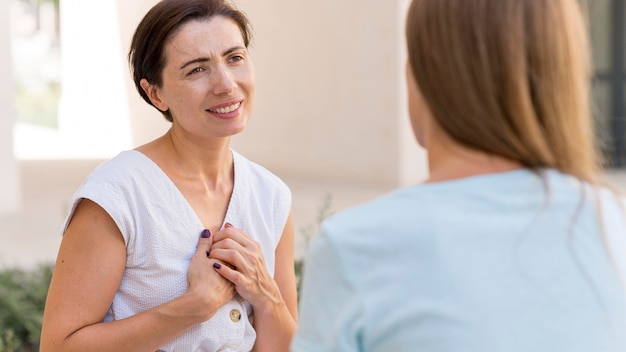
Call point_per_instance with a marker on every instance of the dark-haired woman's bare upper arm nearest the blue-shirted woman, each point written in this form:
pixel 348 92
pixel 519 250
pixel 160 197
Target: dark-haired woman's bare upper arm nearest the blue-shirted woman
pixel 284 273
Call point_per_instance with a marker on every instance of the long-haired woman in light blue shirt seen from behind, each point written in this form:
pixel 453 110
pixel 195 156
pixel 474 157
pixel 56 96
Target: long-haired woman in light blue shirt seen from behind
pixel 510 245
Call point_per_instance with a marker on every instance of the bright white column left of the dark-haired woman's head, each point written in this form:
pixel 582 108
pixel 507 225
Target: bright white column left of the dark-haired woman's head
pixel 93 110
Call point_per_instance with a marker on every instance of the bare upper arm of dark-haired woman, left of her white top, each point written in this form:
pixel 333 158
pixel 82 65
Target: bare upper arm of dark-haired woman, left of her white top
pixel 88 271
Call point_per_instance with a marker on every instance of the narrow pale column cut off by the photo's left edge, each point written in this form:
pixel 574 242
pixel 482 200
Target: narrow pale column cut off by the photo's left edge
pixel 10 185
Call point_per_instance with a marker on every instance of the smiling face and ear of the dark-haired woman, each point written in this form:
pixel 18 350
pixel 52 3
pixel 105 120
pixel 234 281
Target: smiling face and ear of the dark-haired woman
pixel 208 79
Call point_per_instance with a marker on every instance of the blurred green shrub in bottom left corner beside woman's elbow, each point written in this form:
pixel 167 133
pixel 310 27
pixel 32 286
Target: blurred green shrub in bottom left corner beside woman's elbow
pixel 22 299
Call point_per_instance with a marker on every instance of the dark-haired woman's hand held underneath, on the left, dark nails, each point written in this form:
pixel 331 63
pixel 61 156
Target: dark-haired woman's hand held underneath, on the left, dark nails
pixel 204 281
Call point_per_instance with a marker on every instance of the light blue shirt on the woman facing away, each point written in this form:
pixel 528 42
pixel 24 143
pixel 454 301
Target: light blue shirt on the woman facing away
pixel 502 262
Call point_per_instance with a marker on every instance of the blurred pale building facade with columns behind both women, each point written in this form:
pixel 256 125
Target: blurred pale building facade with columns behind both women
pixel 330 97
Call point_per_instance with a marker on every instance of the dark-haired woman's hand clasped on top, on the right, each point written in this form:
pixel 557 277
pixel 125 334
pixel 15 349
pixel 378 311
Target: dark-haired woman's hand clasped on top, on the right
pixel 246 267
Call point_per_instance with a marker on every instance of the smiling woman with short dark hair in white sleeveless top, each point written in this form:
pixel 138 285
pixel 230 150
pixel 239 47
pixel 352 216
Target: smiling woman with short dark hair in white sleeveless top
pixel 181 244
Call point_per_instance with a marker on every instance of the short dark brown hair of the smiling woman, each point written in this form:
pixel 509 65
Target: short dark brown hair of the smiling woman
pixel 147 50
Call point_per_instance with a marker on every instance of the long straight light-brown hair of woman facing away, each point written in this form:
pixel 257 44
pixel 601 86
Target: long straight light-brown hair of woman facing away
pixel 508 77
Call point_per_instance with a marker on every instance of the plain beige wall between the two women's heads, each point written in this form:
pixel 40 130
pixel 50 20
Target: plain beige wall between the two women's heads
pixel 331 96
